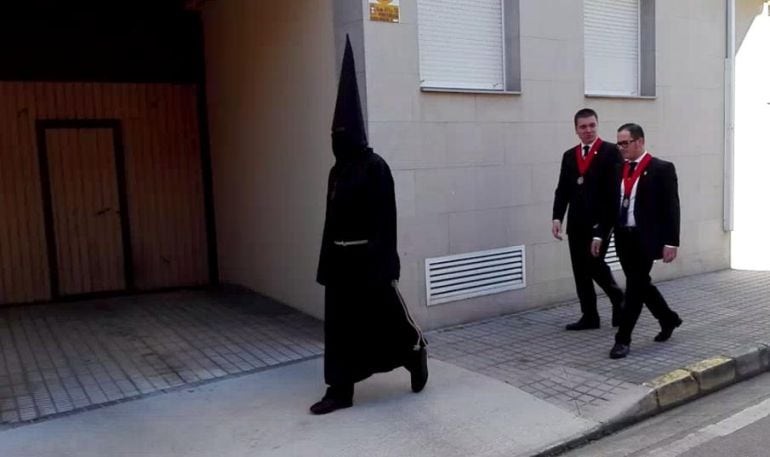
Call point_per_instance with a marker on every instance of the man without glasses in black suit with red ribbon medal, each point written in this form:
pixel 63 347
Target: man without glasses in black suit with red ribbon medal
pixel 586 170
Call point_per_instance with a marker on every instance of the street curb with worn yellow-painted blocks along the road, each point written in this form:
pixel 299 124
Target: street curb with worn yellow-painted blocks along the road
pixel 676 388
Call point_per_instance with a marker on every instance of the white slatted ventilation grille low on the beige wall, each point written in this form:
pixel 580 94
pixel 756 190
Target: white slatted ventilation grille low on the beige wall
pixel 473 274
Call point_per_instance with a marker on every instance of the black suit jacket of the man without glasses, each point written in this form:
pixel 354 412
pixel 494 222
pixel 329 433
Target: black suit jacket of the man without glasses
pixel 583 200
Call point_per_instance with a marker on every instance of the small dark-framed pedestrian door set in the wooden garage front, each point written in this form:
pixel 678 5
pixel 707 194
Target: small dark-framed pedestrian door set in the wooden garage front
pixel 85 218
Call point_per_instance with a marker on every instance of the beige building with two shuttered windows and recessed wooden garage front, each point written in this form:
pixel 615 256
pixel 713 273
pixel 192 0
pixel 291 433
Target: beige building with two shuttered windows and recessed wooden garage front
pixel 470 102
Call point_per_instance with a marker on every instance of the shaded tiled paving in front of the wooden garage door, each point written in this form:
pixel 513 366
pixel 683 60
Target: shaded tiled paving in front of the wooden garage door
pixel 60 358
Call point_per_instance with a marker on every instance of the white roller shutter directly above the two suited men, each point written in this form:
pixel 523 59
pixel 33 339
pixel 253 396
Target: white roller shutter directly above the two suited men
pixel 611 47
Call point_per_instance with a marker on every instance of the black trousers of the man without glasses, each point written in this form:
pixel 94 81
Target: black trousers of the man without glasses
pixel 586 269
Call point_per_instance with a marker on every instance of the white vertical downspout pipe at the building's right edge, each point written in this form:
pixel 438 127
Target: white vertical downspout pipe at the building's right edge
pixel 729 120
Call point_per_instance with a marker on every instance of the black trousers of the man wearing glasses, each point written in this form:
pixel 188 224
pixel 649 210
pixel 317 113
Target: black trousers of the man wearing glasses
pixel 637 265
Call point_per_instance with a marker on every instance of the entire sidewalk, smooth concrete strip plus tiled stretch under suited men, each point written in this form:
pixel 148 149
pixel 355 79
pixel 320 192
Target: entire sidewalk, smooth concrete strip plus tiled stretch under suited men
pixel 517 385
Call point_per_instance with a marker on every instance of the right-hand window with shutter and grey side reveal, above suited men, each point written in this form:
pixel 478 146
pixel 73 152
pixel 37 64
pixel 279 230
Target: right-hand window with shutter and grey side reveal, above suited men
pixel 619 38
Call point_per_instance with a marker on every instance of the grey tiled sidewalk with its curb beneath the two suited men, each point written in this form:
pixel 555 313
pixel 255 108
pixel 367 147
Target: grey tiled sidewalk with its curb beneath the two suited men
pixel 721 342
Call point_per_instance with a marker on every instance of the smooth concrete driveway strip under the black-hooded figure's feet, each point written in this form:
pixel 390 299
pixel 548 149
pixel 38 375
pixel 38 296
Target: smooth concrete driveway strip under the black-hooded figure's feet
pixel 265 414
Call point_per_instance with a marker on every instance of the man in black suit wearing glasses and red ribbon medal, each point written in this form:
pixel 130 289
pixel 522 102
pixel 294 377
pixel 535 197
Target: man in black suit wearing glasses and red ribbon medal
pixel 644 209
